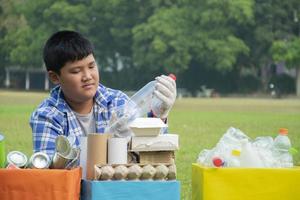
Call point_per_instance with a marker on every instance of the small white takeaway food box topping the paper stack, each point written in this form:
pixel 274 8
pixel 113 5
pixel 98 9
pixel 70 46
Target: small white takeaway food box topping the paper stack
pixel 147 126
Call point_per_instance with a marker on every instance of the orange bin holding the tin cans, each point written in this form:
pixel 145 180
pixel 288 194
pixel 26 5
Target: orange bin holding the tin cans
pixel 44 184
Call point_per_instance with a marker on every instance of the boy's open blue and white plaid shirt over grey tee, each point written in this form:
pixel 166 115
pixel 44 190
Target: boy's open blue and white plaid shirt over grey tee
pixel 54 117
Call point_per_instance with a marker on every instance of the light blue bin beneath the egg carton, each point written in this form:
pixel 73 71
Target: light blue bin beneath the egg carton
pixel 130 190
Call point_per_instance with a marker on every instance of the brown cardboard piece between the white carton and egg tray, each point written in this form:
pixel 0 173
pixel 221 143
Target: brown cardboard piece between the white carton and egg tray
pixel 157 157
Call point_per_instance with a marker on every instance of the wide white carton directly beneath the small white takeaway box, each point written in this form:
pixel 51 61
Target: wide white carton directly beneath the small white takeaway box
pixel 162 142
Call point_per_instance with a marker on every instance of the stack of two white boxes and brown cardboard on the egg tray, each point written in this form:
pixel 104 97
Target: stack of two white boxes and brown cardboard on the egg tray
pixel 151 144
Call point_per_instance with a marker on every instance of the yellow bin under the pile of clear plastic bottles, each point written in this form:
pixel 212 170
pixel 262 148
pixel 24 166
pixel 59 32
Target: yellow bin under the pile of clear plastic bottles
pixel 245 183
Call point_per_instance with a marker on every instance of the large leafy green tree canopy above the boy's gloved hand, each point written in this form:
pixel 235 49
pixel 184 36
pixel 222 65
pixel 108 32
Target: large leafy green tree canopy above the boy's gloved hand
pixel 191 30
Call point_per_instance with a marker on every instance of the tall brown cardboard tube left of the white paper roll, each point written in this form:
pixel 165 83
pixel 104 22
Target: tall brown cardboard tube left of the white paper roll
pixel 96 152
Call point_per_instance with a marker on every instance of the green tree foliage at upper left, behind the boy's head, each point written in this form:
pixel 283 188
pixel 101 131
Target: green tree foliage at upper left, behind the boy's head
pixel 25 41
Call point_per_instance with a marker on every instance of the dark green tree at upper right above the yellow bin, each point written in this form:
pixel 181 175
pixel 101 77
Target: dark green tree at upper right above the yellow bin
pixel 274 20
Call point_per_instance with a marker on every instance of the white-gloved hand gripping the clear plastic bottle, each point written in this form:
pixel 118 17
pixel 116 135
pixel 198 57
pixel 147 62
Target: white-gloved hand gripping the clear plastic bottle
pixel 166 92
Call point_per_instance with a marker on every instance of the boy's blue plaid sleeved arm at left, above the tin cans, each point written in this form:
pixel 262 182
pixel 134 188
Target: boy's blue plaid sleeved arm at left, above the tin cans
pixel 45 129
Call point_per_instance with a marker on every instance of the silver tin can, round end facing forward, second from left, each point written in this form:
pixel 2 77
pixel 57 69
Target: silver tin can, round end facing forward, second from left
pixel 39 160
